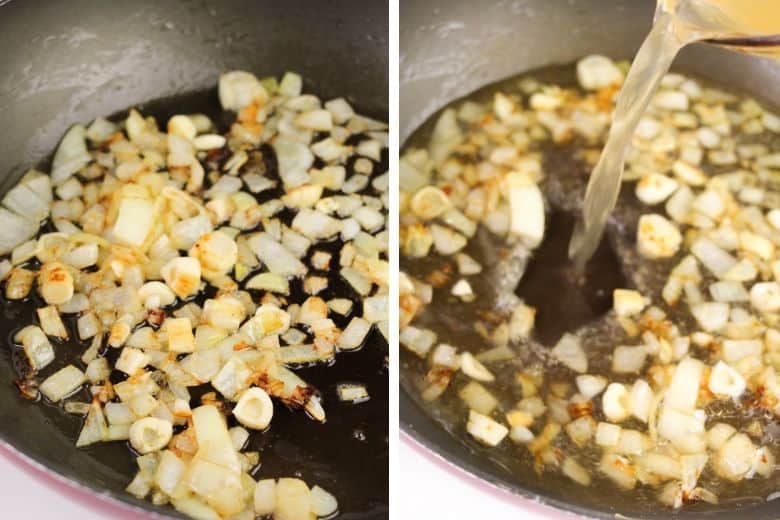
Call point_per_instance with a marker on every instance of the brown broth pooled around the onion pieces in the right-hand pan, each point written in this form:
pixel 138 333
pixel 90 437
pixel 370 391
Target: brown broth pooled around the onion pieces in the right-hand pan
pixel 616 264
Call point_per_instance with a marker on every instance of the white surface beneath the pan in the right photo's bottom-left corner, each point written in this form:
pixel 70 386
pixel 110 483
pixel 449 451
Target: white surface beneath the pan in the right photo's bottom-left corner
pixel 428 484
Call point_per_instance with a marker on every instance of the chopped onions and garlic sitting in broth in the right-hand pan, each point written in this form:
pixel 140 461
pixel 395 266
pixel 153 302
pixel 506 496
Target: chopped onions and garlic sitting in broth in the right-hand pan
pixel 672 393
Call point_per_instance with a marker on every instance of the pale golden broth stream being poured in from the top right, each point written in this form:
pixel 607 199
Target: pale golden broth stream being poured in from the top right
pixel 751 26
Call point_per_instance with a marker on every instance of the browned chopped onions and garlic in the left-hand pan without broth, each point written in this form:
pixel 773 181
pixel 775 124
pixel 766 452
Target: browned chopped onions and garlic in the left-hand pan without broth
pixel 184 261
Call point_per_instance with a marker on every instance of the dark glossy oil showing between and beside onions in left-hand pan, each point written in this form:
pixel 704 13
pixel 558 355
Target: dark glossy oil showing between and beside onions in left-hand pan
pixel 295 445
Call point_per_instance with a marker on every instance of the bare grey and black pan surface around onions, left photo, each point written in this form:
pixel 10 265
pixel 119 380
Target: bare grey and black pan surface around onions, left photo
pixel 71 61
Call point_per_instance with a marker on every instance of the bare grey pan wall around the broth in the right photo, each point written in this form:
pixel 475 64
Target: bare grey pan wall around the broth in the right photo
pixel 450 49
